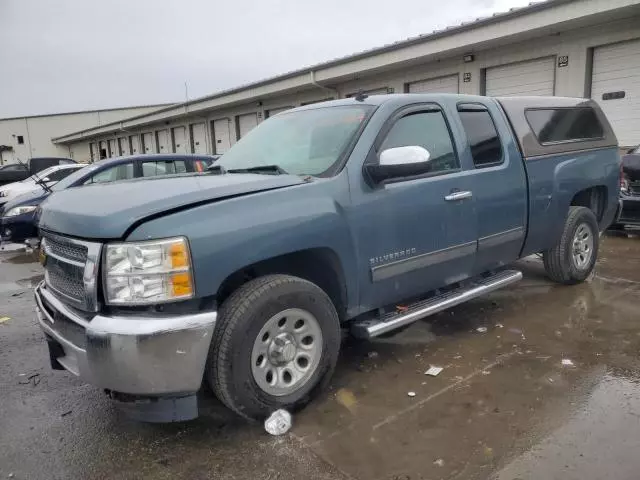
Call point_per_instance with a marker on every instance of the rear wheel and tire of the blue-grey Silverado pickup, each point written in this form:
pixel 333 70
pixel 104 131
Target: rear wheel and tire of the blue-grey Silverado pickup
pixel 573 259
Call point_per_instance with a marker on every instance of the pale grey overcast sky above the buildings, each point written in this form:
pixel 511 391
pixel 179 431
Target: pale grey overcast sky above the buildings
pixel 63 55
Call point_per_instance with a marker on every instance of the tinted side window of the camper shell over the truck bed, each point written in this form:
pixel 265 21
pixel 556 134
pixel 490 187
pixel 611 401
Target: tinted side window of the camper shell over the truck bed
pixel 553 125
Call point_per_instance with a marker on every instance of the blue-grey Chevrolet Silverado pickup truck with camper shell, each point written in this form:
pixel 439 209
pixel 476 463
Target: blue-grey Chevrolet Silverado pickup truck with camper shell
pixel 363 214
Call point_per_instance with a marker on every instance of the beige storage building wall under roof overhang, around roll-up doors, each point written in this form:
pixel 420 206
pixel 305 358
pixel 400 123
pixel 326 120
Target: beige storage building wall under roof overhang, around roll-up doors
pixel 570 80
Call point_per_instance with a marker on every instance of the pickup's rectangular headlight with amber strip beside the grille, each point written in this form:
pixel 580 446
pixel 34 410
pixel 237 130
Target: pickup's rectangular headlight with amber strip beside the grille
pixel 143 273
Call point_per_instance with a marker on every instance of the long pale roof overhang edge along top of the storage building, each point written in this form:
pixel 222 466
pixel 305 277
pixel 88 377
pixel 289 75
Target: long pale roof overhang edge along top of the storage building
pixel 538 19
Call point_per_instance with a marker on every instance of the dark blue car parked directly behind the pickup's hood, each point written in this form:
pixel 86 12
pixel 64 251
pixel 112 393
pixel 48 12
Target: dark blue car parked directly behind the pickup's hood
pixel 18 217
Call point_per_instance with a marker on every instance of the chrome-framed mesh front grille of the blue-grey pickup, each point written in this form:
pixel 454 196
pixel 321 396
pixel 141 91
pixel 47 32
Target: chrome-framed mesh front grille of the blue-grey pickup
pixel 68 263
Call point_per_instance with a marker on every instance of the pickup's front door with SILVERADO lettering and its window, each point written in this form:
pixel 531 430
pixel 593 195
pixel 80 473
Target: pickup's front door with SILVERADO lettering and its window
pixel 416 233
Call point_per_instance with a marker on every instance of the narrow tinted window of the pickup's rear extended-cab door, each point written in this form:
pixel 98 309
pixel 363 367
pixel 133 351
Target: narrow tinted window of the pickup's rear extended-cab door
pixel 482 136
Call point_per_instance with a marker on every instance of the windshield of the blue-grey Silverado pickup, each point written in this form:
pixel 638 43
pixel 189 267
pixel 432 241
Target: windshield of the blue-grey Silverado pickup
pixel 307 142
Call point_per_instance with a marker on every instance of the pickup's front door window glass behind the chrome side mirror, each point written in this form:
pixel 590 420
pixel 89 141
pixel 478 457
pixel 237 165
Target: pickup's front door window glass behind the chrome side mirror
pixel 428 130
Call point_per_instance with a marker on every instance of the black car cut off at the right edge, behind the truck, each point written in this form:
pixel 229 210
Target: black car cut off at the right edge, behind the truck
pixel 629 191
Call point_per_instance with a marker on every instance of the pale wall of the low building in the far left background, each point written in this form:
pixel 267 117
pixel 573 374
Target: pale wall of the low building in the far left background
pixel 37 132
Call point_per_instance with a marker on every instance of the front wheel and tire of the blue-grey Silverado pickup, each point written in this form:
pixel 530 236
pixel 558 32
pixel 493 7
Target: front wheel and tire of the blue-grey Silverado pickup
pixel 275 345
